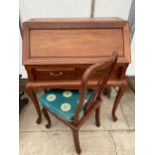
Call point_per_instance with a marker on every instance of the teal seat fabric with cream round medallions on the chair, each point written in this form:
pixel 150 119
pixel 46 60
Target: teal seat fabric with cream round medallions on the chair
pixel 63 102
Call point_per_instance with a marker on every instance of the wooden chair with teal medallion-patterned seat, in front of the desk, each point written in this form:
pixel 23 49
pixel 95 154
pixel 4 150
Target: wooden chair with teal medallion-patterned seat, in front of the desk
pixel 74 107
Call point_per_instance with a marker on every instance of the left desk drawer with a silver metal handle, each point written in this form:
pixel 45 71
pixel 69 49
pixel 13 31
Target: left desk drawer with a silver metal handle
pixel 42 74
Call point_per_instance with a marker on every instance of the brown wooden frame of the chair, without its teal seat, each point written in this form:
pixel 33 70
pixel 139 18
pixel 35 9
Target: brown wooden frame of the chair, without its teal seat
pixel 94 102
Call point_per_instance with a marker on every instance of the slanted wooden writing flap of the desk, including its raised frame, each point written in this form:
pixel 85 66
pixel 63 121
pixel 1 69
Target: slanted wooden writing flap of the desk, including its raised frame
pixel 46 45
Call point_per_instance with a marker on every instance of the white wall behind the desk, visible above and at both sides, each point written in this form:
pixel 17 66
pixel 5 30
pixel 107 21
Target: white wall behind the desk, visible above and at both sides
pixel 73 9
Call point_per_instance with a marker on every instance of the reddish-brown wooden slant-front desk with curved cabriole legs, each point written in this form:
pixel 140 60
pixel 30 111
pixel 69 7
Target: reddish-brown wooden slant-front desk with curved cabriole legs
pixel 56 52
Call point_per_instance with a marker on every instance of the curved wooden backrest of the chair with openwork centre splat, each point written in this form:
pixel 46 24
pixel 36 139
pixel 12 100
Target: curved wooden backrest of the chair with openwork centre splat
pixel 103 66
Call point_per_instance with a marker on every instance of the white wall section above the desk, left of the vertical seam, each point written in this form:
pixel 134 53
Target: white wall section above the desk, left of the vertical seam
pixel 54 8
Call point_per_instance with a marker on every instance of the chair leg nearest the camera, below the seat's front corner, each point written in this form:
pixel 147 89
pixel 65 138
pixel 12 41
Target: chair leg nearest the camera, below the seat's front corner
pixel 76 141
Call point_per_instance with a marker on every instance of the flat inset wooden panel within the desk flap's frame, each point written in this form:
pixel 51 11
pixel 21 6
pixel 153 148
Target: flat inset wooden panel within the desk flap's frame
pixel 61 43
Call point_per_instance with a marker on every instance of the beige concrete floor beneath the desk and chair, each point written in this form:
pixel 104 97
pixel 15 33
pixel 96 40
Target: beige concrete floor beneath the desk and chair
pixel 111 138
